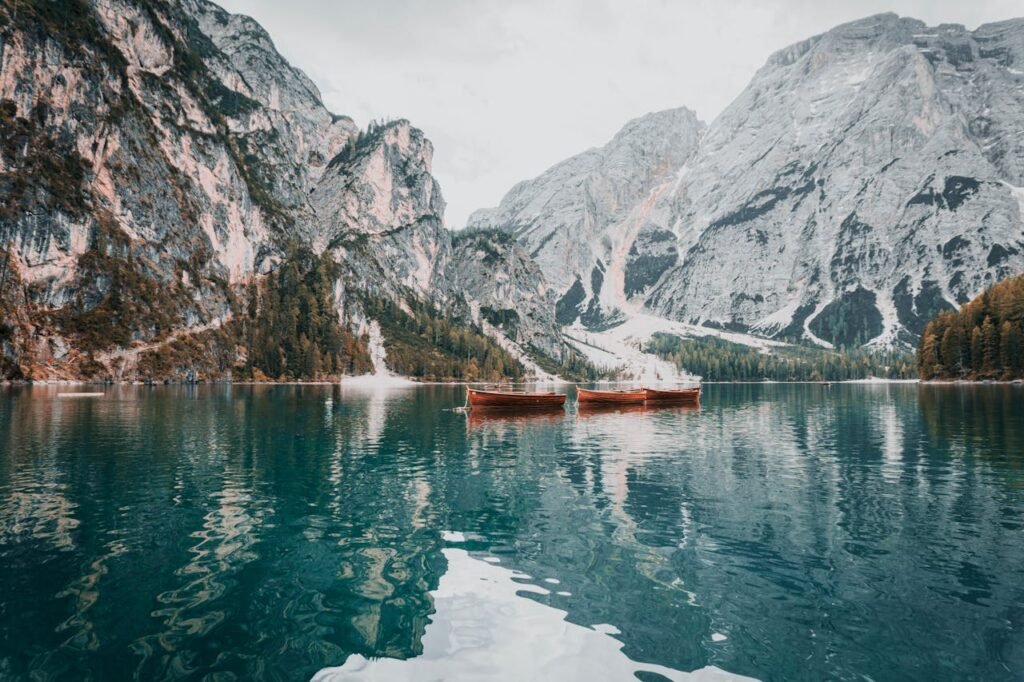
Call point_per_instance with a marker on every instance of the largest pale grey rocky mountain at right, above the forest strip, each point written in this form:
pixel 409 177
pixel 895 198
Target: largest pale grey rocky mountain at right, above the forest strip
pixel 867 179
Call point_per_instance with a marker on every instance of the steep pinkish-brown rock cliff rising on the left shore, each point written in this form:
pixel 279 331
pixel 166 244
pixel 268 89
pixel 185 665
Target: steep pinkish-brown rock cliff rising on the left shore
pixel 159 158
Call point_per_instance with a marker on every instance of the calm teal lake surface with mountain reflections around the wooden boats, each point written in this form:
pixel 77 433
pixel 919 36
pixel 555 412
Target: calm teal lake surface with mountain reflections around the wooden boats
pixel 780 533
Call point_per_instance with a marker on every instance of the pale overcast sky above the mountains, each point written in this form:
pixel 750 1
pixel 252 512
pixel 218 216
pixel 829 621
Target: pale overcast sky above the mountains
pixel 505 90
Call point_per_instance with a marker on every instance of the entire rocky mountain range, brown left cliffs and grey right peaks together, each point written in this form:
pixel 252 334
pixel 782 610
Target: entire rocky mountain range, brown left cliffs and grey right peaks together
pixel 170 186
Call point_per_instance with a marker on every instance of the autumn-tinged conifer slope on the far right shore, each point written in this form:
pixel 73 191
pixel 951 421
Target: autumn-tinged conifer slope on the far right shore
pixel 983 340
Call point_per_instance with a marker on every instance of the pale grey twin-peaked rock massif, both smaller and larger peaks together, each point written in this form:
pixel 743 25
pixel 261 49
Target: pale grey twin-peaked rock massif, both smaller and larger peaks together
pixel 866 180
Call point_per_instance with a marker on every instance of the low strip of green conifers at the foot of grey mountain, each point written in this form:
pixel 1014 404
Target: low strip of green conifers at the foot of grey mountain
pixel 717 360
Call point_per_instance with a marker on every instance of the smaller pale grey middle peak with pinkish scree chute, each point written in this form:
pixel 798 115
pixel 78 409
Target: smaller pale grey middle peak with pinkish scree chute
pixel 580 219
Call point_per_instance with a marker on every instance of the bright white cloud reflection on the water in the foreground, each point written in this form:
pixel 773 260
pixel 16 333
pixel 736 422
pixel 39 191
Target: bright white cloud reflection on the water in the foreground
pixel 485 629
